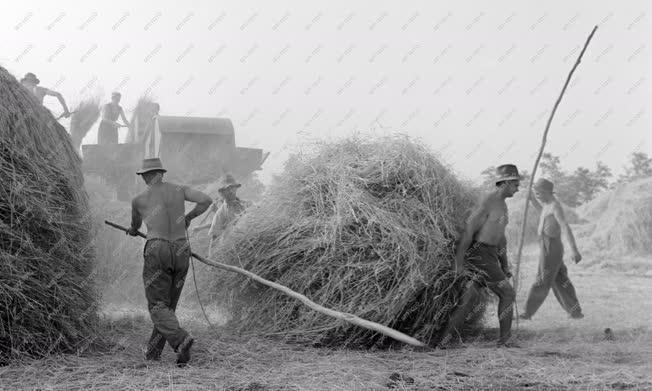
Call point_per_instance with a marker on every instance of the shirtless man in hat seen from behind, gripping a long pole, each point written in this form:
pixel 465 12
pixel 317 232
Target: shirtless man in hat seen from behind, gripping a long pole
pixel 166 253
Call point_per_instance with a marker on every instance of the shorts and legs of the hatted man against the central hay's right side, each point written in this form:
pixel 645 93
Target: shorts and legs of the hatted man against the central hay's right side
pixel 485 258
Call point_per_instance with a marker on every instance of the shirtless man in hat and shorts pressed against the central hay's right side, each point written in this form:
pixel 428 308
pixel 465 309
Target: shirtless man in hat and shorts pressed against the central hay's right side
pixel 484 247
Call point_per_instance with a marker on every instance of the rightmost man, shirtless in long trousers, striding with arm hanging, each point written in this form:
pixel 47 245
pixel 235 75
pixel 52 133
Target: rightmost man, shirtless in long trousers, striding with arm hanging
pixel 552 271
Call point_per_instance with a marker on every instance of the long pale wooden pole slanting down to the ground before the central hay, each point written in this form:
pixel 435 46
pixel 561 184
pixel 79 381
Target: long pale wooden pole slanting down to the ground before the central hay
pixel 397 335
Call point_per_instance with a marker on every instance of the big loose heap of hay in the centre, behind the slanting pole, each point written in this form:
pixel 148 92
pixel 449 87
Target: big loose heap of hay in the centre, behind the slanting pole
pixel 364 226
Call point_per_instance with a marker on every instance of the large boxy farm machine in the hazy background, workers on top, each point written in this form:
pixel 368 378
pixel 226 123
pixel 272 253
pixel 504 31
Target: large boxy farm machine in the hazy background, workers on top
pixel 194 150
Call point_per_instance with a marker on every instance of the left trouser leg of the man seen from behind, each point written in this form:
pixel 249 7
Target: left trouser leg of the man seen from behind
pixel 158 278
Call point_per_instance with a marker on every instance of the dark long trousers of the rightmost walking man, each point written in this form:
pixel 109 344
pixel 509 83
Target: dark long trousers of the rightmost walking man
pixel 552 274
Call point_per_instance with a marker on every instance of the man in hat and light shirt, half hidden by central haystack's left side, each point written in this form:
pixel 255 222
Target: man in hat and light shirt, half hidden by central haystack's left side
pixel 225 214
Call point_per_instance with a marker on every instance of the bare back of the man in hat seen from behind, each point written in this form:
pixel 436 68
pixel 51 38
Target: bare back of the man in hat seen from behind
pixel 163 210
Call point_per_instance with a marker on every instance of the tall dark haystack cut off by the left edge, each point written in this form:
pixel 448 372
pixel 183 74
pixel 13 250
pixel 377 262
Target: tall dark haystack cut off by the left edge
pixel 46 266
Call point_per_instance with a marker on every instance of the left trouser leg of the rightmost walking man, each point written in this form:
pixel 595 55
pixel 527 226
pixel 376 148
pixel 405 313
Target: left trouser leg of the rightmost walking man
pixel 549 262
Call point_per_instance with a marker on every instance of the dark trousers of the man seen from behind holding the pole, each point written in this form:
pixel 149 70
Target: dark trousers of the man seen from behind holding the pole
pixel 164 272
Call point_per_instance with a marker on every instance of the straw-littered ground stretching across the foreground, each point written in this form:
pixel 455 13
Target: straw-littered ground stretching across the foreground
pixel 557 353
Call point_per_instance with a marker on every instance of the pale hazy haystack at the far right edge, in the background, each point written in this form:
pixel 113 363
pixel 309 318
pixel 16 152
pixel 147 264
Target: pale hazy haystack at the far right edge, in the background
pixel 625 227
